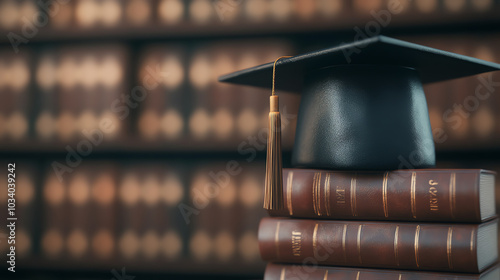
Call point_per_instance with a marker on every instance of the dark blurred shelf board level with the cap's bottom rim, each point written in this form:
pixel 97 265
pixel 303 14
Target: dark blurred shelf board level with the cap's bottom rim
pixel 188 147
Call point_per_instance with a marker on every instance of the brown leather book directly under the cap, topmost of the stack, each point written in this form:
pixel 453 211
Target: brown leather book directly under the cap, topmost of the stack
pixel 440 195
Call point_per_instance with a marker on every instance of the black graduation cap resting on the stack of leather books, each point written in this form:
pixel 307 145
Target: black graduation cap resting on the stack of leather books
pixel 362 104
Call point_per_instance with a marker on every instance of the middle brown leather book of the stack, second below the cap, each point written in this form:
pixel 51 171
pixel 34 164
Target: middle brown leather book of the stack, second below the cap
pixel 467 248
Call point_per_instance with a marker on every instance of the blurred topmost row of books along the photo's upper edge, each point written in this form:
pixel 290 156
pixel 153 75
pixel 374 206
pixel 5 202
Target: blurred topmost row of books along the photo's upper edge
pixel 152 18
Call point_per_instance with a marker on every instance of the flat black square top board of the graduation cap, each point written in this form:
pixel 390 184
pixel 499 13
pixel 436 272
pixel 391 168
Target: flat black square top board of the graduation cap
pixel 433 65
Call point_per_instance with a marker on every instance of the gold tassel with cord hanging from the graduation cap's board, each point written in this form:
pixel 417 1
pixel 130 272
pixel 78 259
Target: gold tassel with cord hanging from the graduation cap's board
pixel 273 193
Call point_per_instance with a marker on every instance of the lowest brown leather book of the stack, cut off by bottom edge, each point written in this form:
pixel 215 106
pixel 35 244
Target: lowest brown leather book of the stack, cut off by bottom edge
pixel 295 272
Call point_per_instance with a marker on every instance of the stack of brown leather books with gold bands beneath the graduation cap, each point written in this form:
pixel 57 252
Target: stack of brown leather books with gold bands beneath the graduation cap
pixel 404 224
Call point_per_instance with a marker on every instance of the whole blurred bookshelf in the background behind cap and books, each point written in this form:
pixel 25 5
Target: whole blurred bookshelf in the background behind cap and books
pixel 131 87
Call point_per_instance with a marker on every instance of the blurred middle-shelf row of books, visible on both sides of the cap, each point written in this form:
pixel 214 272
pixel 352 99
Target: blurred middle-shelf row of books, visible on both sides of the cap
pixel 187 103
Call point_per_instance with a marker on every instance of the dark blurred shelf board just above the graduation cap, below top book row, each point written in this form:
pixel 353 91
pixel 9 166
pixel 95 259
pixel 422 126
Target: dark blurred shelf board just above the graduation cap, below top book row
pixel 344 22
